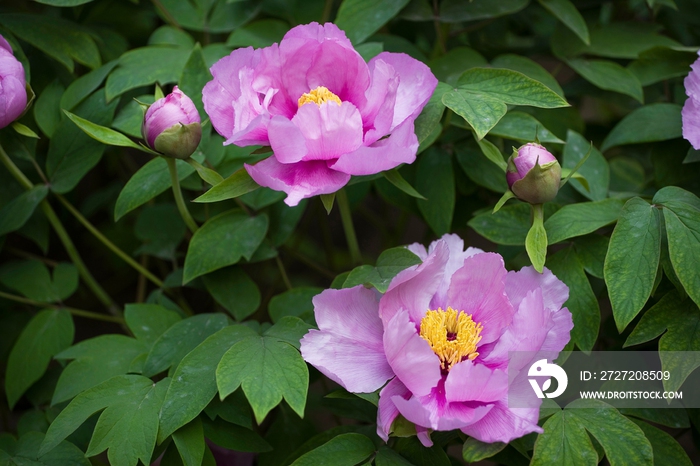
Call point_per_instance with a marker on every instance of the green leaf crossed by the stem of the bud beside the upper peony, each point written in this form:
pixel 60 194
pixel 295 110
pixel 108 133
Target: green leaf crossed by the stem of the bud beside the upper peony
pixel 149 181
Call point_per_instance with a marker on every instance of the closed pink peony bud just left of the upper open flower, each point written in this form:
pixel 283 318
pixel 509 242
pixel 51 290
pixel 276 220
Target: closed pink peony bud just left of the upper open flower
pixel 172 125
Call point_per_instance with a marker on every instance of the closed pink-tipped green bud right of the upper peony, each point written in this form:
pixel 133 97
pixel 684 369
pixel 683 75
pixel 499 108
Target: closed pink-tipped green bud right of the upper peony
pixel 533 174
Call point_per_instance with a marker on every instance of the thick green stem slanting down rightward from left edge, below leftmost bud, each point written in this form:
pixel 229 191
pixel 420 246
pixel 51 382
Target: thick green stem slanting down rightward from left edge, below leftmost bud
pixel 63 236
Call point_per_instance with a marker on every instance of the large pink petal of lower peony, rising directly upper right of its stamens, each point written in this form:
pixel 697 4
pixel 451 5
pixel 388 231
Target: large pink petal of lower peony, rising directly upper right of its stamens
pixel 478 288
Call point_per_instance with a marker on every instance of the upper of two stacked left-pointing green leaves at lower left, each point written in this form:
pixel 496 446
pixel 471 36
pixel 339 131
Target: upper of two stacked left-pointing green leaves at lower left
pixel 95 361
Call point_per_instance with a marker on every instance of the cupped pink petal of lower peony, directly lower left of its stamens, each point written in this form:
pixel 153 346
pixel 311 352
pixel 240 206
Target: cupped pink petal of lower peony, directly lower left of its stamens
pixel 410 356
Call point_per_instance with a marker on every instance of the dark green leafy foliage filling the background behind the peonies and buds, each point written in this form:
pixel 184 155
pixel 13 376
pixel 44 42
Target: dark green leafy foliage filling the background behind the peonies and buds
pixel 94 308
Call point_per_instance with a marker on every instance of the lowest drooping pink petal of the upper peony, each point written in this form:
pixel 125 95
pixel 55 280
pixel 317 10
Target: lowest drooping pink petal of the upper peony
pixel 299 180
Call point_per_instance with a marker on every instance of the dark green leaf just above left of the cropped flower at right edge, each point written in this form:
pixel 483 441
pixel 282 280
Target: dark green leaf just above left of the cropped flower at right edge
pixel 661 63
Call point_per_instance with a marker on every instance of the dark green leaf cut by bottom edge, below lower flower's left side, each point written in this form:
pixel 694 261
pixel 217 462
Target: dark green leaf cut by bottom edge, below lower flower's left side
pixel 344 450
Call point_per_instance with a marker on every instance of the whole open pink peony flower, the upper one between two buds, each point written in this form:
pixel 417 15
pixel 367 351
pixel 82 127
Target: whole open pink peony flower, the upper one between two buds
pixel 325 112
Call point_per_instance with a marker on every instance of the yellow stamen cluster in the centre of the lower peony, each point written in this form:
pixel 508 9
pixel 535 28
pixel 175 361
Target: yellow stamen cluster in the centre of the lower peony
pixel 452 335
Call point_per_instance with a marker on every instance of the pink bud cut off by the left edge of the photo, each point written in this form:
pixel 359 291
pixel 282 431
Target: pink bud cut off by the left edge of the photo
pixel 13 93
